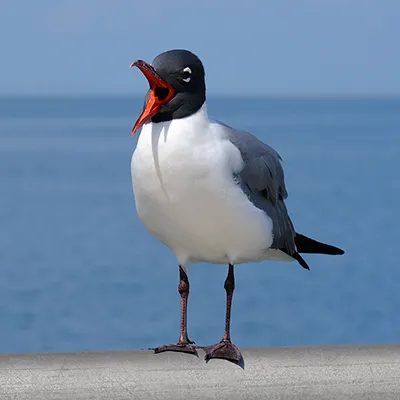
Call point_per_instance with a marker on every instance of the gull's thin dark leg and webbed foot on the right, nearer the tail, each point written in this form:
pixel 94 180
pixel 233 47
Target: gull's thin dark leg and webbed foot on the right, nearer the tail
pixel 225 349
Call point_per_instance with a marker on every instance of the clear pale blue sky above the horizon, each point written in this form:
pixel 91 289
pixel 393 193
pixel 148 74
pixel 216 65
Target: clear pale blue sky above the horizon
pixel 252 47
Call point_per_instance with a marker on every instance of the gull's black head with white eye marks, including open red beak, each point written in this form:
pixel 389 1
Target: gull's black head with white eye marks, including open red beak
pixel 177 86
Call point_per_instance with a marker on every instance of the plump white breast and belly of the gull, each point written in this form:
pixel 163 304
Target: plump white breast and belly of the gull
pixel 182 175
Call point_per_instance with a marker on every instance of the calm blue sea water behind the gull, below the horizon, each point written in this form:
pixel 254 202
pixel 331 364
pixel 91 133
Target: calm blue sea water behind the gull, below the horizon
pixel 79 272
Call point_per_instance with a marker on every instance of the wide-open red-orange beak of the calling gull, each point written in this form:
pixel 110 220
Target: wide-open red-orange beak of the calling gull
pixel 161 93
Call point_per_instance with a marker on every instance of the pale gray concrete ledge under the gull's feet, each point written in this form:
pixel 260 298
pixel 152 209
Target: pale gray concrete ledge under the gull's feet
pixel 342 372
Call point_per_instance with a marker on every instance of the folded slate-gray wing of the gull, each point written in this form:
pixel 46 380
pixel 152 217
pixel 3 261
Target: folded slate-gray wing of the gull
pixel 262 179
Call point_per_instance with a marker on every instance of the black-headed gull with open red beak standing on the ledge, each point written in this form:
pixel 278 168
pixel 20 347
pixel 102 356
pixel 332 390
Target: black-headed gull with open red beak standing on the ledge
pixel 207 191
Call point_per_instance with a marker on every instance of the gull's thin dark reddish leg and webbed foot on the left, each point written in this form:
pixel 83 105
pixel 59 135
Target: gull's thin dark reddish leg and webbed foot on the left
pixel 184 344
